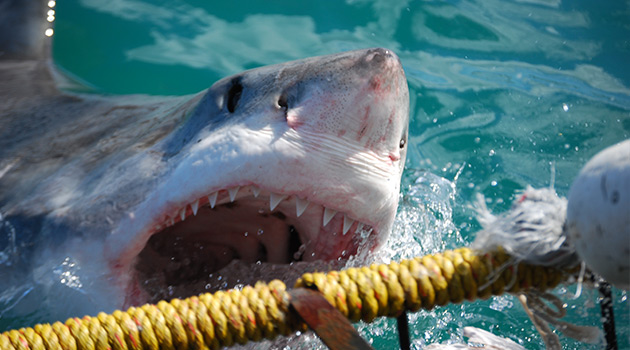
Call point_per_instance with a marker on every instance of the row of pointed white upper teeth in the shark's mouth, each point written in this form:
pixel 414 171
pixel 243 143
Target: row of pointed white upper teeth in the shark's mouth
pixel 274 200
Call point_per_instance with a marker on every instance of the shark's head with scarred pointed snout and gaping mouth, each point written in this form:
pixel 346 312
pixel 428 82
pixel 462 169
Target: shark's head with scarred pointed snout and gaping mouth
pixel 300 162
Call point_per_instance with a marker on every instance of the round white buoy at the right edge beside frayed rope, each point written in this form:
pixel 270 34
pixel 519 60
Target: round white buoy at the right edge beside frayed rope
pixel 598 214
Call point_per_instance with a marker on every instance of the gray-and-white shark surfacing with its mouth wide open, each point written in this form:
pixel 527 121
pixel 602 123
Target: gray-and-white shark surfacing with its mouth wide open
pixel 107 200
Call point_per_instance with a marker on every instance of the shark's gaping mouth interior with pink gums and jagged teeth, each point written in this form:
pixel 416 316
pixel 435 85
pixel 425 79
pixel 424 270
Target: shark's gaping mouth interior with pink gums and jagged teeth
pixel 249 224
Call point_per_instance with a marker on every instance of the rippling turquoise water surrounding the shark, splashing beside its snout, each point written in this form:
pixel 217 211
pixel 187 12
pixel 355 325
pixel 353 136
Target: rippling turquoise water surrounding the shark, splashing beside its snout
pixel 503 94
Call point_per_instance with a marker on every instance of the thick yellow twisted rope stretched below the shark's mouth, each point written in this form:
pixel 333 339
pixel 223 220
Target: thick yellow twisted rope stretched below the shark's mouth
pixel 212 321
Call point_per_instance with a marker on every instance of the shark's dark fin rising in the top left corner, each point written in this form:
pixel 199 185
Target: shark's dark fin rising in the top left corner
pixel 23 25
